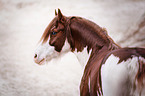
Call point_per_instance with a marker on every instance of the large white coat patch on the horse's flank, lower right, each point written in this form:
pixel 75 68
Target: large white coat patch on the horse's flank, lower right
pixel 118 79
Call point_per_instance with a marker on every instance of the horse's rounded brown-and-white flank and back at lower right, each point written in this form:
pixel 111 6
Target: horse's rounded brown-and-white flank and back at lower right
pixel 123 73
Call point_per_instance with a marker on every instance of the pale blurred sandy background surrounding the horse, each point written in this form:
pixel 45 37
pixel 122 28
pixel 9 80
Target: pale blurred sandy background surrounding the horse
pixel 22 23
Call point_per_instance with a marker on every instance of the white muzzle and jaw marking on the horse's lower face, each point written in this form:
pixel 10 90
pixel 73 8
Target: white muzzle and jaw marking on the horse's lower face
pixel 45 52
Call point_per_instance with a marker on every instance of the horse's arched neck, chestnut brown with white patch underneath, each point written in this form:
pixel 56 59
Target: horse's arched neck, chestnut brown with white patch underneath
pixel 85 36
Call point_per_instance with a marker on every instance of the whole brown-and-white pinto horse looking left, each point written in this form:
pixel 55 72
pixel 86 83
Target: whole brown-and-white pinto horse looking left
pixel 110 69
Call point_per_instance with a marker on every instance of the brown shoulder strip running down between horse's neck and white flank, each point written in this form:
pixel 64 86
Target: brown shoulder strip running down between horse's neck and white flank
pixel 92 74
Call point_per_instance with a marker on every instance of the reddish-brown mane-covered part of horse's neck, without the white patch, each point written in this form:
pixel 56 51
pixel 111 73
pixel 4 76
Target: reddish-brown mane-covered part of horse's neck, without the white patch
pixel 84 33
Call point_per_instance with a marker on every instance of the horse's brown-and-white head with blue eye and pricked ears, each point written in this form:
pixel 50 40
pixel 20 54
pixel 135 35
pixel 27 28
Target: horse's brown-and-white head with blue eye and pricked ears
pixel 53 41
